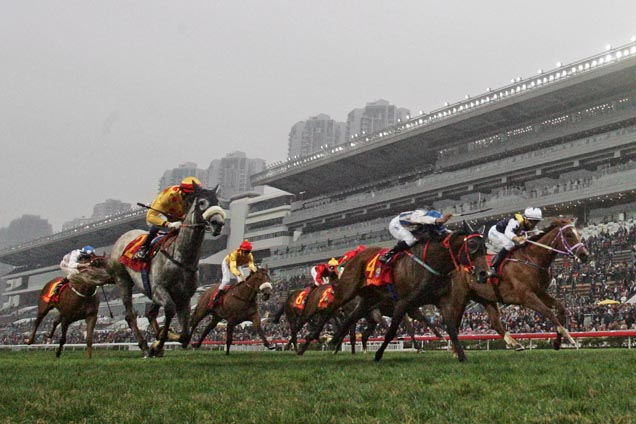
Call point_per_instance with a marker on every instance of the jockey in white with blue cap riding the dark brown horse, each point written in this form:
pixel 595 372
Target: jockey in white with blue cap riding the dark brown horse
pixel 410 226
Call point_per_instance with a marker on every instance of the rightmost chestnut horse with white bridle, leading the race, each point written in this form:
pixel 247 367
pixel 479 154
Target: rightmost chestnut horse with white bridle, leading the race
pixel 524 280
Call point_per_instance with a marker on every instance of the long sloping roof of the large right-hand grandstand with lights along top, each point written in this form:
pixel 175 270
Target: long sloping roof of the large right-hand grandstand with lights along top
pixel 415 149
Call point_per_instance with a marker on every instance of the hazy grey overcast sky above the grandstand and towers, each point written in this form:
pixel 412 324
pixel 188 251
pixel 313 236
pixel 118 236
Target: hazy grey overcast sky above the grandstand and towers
pixel 98 99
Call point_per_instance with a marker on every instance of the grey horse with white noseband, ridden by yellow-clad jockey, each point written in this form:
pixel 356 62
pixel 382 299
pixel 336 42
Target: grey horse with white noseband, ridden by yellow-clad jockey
pixel 174 272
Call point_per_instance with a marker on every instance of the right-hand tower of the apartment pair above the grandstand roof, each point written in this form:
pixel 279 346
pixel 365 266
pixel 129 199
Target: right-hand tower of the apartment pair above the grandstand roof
pixel 374 117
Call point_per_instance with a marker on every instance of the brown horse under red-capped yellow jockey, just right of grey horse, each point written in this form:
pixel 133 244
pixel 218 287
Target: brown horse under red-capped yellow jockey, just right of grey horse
pixel 238 305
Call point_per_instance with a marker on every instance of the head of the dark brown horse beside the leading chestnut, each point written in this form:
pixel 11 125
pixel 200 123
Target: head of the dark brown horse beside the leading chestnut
pixel 468 251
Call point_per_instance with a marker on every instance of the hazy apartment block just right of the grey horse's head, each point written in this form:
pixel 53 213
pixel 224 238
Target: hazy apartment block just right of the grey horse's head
pixel 233 172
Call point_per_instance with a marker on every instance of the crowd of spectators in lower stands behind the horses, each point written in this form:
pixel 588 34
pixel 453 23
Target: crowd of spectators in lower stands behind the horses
pixel 609 275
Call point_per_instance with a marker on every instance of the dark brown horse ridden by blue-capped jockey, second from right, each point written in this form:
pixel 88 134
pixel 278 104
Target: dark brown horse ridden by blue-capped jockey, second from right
pixel 417 281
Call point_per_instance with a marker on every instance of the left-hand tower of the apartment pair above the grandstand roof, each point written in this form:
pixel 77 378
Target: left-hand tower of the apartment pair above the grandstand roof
pixel 310 136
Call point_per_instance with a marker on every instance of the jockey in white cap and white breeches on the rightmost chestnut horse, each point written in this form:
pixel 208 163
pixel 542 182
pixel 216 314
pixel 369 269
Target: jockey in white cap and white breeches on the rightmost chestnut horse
pixel 511 231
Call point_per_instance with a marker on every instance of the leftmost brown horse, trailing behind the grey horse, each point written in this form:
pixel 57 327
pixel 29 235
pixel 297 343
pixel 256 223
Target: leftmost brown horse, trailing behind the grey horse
pixel 78 300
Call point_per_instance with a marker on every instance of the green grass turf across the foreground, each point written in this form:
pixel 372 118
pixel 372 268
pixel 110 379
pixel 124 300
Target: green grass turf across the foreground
pixel 585 386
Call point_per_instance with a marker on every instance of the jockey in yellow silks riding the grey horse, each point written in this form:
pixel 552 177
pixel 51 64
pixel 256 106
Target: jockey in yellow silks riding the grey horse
pixel 168 210
